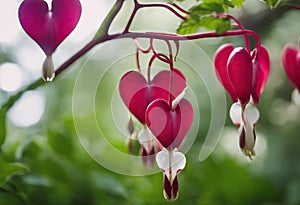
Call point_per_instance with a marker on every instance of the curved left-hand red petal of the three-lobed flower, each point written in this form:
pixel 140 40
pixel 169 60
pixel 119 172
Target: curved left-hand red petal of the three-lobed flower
pixel 220 62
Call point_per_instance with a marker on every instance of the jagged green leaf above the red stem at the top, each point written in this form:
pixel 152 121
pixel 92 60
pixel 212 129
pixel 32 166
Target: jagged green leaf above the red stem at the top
pixel 203 15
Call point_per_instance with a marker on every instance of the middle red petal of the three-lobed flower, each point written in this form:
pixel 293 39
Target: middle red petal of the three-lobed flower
pixel 240 73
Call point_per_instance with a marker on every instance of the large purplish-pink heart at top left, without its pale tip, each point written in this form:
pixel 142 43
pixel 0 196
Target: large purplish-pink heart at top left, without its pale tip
pixel 49 28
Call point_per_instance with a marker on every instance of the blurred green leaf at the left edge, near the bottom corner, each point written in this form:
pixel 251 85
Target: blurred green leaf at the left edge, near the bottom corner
pixel 11 169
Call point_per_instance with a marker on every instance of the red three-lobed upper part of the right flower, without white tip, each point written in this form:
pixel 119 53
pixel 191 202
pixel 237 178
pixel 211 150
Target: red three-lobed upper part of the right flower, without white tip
pixel 242 74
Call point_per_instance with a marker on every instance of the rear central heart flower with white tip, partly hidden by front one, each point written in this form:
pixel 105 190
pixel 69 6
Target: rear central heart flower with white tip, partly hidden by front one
pixel 137 93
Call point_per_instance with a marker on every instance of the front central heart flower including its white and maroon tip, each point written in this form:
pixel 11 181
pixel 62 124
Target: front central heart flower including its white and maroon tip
pixel 170 124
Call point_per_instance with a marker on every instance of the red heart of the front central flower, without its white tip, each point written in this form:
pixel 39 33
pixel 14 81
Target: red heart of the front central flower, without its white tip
pixel 170 126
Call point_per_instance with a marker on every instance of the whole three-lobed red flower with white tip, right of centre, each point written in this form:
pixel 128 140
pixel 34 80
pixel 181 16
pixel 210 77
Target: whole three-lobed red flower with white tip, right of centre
pixel 243 75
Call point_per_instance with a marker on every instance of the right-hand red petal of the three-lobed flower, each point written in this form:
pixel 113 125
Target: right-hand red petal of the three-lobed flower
pixel 261 69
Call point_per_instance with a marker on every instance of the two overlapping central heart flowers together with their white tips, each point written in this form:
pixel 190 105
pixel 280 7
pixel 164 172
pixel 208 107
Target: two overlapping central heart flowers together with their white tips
pixel 158 104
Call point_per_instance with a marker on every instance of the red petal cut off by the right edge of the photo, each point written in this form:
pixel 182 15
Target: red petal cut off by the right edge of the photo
pixel 291 63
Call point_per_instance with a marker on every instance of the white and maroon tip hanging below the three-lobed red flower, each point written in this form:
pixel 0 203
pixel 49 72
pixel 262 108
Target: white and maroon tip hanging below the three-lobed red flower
pixel 245 119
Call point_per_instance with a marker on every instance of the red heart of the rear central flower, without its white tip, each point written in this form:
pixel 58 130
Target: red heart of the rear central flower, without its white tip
pixel 137 93
